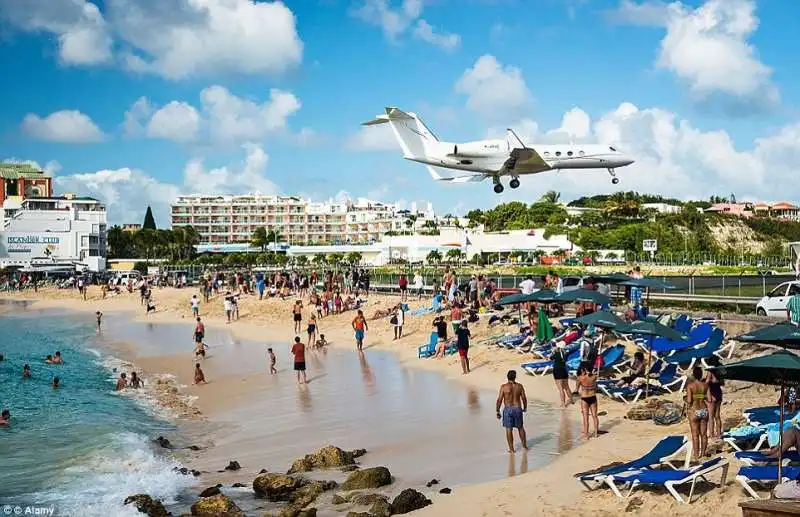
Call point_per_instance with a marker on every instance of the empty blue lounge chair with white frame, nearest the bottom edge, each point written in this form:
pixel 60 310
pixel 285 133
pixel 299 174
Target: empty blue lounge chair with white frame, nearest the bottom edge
pixel 669 479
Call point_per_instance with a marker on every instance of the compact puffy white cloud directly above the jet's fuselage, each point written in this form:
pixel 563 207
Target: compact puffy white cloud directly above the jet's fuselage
pixel 494 90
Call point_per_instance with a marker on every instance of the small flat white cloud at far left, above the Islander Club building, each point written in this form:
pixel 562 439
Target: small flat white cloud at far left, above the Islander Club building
pixel 66 126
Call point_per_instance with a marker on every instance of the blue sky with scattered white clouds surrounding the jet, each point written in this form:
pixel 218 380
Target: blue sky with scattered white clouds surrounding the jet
pixel 138 101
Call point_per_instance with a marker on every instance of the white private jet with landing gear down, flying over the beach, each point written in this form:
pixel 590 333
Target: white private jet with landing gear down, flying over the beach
pixel 485 159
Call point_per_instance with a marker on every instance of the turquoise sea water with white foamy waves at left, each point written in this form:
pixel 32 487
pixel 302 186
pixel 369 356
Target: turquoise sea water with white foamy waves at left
pixel 82 447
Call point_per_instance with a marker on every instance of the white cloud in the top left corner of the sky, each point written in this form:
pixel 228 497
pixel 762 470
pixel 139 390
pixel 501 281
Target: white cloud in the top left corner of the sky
pixel 78 25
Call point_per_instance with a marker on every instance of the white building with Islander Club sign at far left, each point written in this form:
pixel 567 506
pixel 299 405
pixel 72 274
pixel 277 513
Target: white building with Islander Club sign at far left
pixel 43 232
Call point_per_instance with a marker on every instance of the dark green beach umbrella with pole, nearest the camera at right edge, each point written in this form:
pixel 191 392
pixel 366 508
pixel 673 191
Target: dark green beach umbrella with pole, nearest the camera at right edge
pixel 780 368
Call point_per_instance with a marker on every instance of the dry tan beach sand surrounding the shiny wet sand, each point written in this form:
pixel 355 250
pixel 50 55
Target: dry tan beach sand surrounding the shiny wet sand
pixel 551 490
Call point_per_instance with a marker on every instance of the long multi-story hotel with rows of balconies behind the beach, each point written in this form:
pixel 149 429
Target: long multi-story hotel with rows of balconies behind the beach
pixel 233 219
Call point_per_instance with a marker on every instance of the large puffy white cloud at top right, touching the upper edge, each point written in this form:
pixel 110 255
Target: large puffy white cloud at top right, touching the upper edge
pixel 707 48
